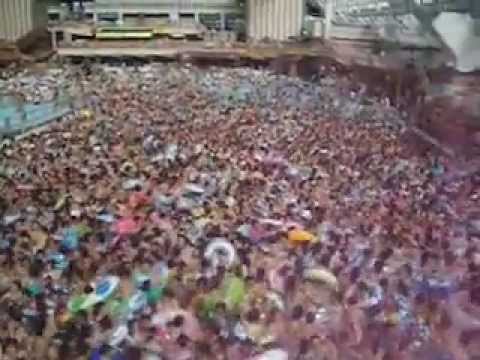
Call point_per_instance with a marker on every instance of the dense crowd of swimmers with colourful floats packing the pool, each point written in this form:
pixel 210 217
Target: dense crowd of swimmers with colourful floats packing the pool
pixel 186 213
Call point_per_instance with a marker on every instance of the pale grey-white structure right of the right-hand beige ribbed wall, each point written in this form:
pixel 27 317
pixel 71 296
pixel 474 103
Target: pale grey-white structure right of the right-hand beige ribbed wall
pixel 454 24
